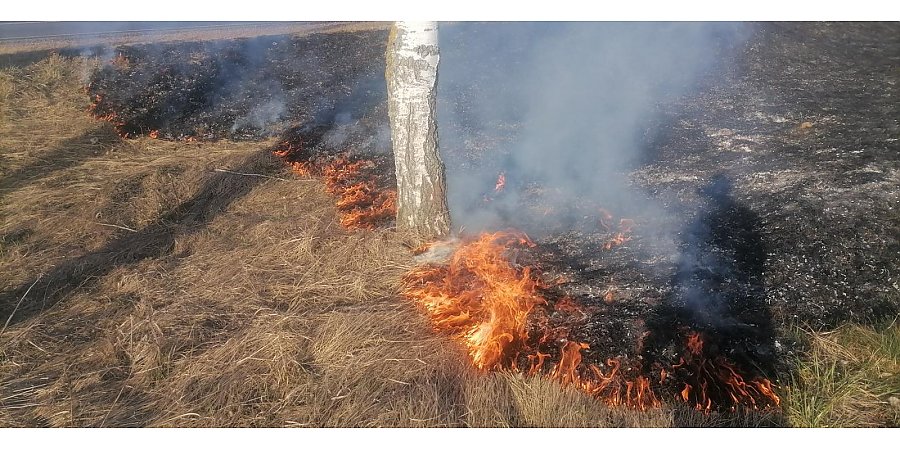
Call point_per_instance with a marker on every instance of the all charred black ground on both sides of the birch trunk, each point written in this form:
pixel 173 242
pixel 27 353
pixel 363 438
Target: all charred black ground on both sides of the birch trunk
pixel 782 171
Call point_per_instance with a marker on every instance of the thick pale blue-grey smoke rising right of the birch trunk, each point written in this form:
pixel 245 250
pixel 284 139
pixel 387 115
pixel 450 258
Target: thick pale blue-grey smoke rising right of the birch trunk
pixel 563 106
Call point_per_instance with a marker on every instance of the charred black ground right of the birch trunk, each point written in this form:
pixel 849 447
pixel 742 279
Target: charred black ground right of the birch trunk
pixel 781 173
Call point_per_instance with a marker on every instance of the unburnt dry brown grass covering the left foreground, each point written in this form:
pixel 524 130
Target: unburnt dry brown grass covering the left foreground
pixel 166 293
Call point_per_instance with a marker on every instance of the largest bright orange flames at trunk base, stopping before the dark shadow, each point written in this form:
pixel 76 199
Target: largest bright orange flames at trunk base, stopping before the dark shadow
pixel 484 302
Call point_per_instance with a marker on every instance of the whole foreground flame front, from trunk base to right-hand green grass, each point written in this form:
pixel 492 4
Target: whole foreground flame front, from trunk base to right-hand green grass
pixel 488 304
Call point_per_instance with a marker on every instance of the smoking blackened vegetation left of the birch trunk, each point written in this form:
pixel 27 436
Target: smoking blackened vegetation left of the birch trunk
pixel 240 89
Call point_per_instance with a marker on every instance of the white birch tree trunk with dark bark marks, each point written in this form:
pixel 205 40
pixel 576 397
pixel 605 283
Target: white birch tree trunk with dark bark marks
pixel 411 73
